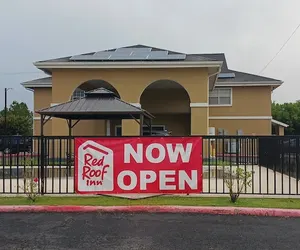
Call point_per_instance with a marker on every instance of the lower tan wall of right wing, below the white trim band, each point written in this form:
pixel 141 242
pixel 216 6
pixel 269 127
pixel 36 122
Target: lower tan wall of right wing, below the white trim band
pixel 249 127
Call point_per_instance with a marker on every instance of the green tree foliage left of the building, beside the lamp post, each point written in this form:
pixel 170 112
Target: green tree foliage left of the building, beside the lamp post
pixel 19 119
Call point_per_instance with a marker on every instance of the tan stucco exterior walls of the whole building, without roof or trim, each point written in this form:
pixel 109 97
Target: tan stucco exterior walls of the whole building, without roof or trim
pixel 131 83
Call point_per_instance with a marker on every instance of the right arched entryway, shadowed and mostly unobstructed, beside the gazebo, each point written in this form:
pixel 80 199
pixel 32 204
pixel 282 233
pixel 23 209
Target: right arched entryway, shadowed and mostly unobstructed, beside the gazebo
pixel 169 102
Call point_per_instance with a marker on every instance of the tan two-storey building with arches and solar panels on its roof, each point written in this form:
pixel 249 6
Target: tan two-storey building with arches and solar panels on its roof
pixel 189 94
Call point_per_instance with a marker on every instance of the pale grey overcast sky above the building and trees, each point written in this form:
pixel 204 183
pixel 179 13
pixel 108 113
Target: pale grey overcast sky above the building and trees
pixel 250 33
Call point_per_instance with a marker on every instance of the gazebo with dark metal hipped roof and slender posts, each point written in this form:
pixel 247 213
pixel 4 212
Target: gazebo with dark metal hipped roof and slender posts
pixel 98 104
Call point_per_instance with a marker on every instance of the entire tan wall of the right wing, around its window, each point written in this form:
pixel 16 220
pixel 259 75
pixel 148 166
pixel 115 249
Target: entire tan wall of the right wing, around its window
pixel 246 101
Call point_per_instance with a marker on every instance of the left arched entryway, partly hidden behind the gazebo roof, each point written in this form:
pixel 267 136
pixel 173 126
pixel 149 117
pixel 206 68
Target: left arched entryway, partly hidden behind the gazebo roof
pixel 94 127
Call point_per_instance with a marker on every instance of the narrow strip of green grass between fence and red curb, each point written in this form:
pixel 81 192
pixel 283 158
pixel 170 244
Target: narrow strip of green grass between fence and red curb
pixel 161 200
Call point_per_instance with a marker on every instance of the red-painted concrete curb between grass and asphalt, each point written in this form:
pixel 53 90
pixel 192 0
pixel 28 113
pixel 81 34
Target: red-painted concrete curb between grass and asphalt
pixel 275 212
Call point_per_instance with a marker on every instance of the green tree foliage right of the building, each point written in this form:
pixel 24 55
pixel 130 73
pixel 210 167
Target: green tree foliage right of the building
pixel 288 113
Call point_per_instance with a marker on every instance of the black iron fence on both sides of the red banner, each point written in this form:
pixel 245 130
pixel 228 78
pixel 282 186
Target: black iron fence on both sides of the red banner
pixel 273 162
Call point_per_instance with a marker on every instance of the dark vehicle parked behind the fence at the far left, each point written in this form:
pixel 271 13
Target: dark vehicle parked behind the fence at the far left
pixel 15 144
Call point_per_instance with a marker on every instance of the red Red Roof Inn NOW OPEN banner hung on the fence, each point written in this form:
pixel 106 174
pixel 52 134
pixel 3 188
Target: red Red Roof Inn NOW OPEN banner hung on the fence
pixel 165 165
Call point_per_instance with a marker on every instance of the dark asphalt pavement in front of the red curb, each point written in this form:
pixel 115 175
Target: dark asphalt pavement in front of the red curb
pixel 146 231
